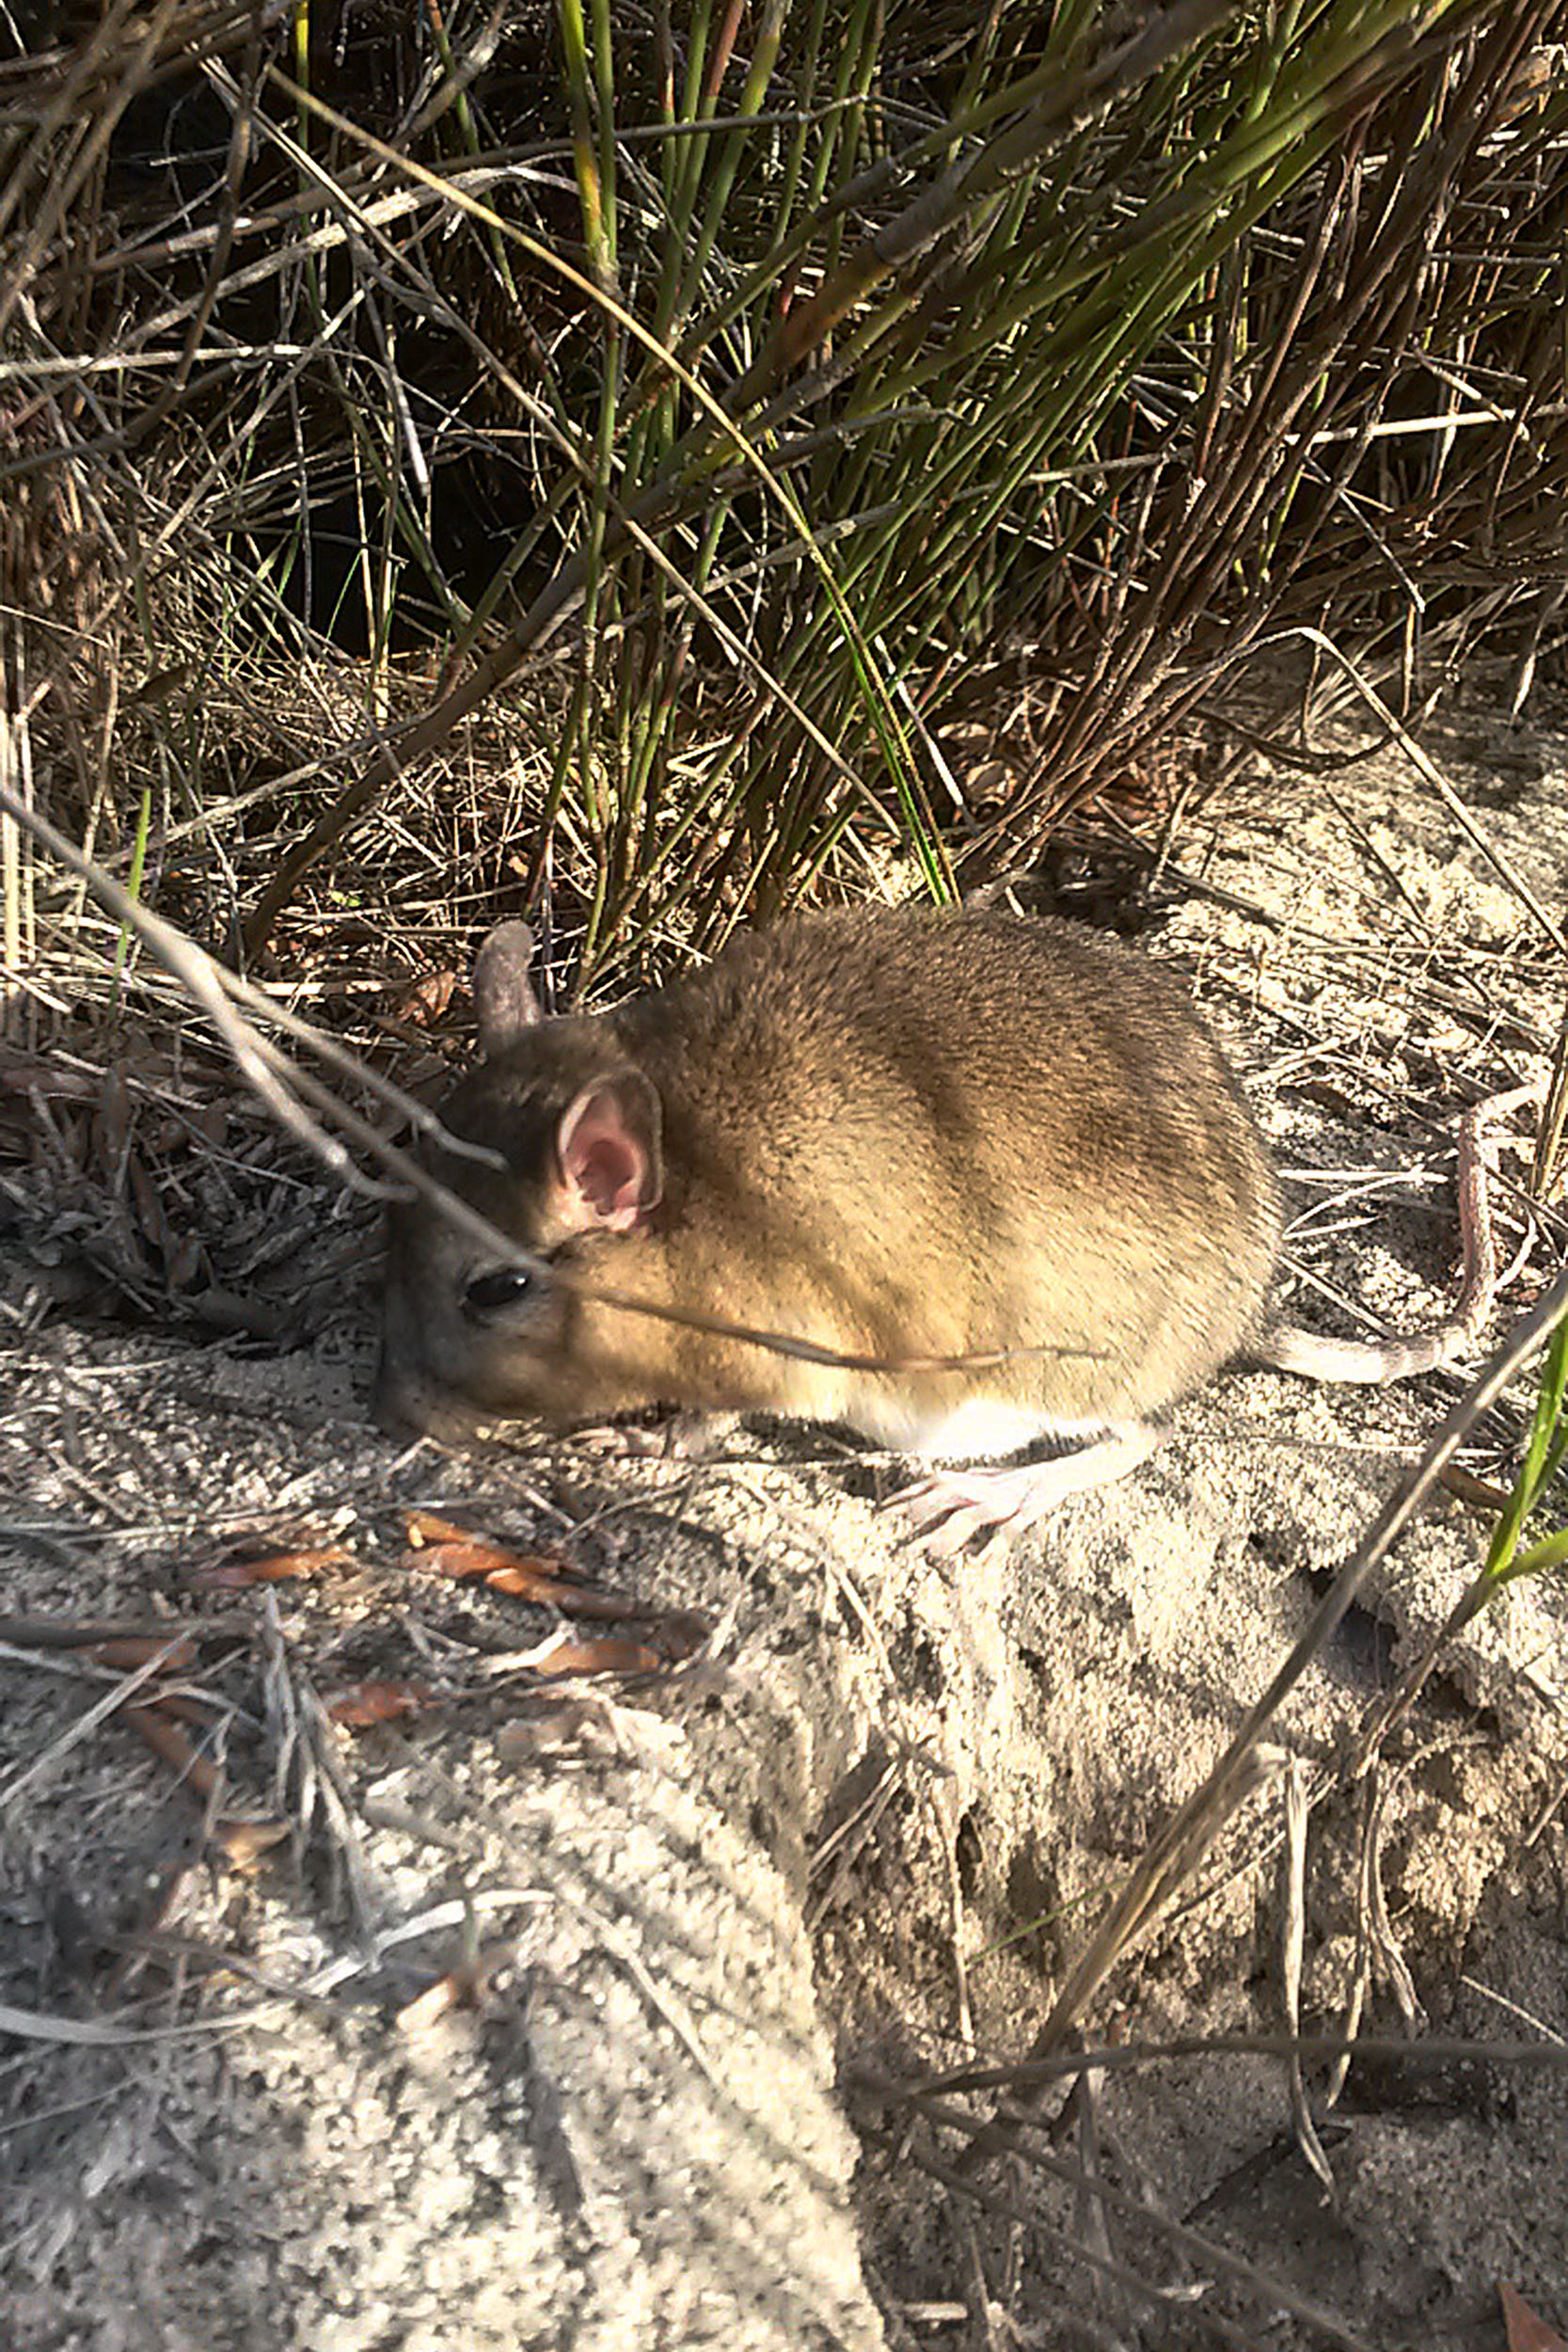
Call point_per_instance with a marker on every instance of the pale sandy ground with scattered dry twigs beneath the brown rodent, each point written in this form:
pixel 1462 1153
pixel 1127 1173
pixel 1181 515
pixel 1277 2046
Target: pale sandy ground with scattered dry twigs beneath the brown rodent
pixel 568 2017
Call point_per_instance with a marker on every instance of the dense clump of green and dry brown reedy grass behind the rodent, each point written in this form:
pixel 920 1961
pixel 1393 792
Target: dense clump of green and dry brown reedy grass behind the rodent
pixel 619 465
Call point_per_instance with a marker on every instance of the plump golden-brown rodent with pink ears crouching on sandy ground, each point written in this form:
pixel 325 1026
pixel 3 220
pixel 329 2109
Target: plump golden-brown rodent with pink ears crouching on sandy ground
pixel 890 1132
